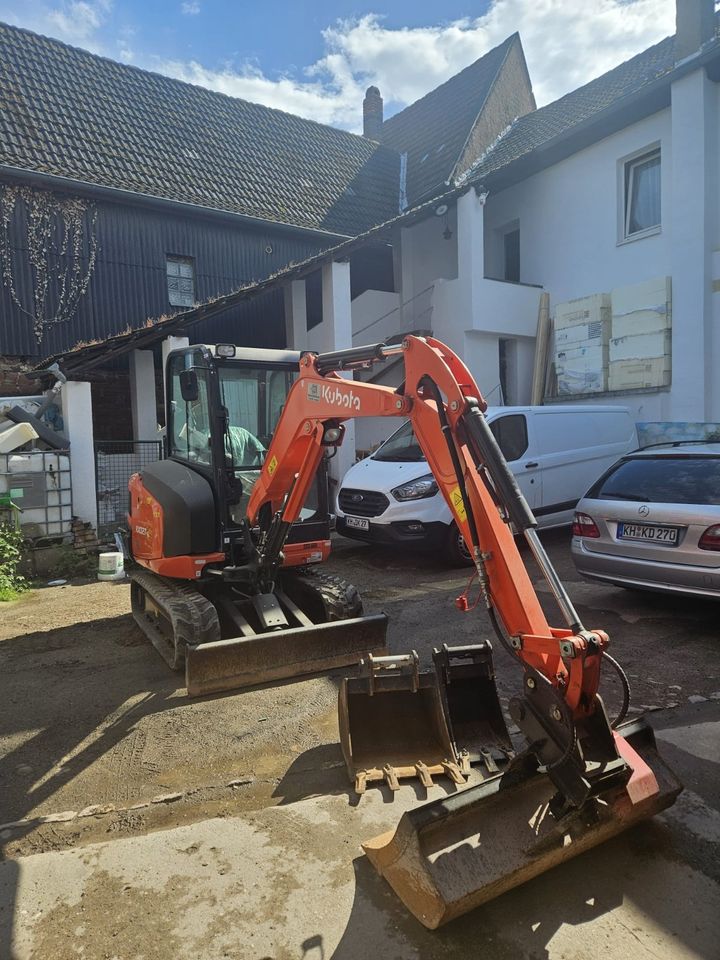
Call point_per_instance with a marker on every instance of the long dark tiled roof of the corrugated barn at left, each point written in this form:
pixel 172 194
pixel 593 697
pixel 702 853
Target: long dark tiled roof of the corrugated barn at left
pixel 73 114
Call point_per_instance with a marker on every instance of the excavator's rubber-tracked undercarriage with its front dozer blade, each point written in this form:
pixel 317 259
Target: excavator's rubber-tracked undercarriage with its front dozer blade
pixel 225 639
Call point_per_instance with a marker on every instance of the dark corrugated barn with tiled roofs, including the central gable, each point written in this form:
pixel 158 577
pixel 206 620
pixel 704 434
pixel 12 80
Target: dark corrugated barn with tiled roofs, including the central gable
pixel 190 194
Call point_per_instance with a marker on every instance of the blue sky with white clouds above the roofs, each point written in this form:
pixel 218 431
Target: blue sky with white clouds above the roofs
pixel 316 58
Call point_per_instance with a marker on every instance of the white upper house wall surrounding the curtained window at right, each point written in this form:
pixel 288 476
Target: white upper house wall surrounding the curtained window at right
pixel 570 237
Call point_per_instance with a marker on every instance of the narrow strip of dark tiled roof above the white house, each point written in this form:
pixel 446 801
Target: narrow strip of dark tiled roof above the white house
pixel 536 129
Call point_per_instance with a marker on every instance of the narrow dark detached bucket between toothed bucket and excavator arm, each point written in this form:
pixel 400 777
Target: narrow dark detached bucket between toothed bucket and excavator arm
pixel 466 680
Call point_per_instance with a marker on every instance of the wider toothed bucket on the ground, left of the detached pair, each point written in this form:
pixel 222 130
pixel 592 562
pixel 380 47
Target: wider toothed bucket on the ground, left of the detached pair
pixel 392 724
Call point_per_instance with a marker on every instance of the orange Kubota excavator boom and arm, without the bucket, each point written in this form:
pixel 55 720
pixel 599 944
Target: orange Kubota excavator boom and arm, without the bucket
pixel 442 401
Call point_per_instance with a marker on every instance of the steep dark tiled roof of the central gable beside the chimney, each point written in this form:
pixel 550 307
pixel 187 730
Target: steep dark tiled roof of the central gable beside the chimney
pixel 433 130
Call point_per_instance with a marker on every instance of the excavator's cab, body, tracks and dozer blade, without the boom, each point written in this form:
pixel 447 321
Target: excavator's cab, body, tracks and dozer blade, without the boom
pixel 212 593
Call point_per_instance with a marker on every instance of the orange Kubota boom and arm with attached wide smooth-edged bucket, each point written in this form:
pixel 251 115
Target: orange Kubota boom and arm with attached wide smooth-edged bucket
pixel 581 778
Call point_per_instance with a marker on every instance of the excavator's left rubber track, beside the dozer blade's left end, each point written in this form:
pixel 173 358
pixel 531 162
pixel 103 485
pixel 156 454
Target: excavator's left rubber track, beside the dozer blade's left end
pixel 193 618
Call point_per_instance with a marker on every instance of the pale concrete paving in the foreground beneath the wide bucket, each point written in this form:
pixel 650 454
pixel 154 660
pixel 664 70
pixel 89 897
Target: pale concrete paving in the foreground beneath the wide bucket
pixel 288 882
